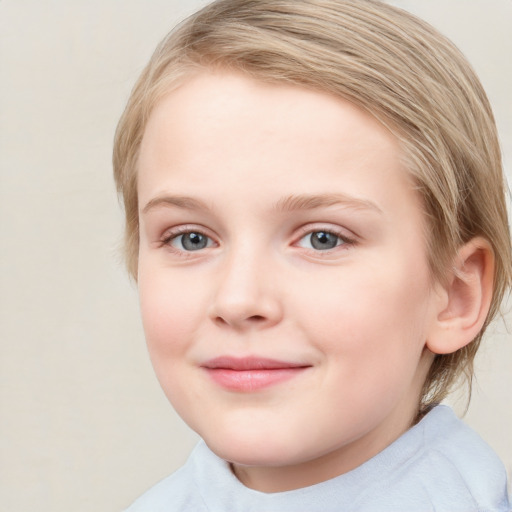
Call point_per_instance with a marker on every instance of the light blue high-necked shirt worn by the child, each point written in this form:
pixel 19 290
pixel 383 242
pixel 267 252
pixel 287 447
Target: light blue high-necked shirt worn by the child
pixel 438 465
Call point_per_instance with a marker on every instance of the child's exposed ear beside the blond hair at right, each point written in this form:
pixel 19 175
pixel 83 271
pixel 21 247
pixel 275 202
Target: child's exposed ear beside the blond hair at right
pixel 465 299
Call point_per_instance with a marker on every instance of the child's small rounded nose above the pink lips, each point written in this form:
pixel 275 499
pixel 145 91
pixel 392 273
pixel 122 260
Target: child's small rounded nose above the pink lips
pixel 246 295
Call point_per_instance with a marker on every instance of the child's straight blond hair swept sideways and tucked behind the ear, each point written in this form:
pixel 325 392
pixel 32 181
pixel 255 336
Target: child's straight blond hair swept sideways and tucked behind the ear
pixel 385 60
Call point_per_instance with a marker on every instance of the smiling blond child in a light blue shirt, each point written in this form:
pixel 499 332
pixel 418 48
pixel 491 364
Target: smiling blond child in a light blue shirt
pixel 315 216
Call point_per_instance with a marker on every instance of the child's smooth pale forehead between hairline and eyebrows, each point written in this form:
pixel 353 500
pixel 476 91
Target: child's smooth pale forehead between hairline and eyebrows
pixel 220 128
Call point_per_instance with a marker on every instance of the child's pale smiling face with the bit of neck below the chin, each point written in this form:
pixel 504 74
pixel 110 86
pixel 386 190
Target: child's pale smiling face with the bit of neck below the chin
pixel 284 285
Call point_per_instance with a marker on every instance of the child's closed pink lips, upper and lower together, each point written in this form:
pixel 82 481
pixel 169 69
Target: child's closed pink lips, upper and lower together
pixel 250 373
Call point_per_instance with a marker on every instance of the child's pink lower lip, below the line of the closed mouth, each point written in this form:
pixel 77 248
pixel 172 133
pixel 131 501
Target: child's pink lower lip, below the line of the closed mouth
pixel 252 380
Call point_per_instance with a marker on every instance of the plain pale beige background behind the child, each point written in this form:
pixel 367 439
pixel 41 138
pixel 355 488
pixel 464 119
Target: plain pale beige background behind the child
pixel 83 423
